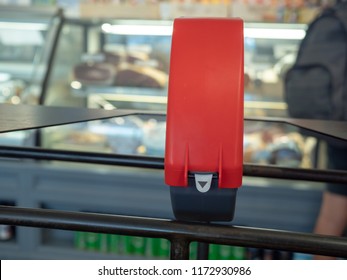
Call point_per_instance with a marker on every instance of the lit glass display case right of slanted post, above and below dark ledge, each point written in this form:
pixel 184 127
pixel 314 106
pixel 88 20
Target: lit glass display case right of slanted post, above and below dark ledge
pixel 124 64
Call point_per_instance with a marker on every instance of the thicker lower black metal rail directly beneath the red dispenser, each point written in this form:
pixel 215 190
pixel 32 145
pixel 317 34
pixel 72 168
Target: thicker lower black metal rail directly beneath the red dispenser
pixel 174 230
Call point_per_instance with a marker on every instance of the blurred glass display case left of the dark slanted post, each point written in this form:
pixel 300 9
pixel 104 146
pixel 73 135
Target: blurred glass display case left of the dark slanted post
pixel 27 38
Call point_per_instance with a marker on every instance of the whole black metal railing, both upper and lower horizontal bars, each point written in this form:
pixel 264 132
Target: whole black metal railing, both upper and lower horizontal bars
pixel 180 234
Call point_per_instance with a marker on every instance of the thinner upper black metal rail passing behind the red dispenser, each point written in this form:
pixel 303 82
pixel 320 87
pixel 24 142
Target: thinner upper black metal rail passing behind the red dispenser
pixel 313 175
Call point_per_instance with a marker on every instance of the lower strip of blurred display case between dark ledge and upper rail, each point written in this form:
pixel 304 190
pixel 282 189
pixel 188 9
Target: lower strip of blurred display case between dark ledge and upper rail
pixel 264 143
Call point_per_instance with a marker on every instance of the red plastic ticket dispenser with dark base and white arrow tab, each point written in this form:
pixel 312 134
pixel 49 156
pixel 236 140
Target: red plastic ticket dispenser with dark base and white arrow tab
pixel 204 134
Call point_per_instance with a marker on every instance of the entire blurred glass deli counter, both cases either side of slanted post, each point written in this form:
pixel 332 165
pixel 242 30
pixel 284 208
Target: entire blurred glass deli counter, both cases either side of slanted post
pixel 124 64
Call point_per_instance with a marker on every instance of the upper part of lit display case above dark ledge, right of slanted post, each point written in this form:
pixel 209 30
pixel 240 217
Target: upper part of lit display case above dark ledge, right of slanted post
pixel 125 63
